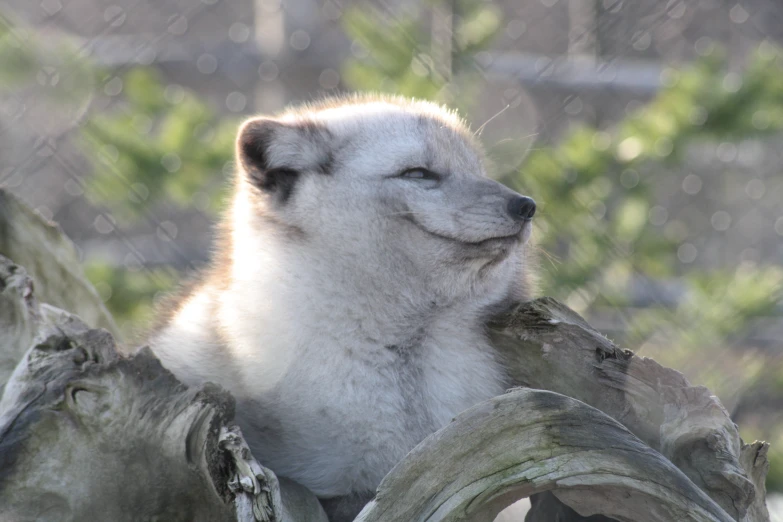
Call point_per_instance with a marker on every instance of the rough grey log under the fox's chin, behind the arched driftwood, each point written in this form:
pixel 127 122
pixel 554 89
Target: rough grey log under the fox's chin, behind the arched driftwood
pixel 548 346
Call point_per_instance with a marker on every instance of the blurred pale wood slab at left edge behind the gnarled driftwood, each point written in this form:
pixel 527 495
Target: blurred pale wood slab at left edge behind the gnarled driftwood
pixel 51 259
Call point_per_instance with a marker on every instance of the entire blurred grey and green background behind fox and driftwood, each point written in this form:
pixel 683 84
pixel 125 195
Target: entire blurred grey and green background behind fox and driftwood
pixel 650 132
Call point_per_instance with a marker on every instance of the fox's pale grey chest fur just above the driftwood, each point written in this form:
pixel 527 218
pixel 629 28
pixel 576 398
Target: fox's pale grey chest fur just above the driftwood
pixel 345 432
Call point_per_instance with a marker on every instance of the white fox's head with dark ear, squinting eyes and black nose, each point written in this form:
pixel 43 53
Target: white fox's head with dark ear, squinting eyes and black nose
pixel 386 185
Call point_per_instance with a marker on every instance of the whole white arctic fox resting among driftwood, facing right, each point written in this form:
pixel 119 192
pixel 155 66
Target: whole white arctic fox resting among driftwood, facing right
pixel 344 308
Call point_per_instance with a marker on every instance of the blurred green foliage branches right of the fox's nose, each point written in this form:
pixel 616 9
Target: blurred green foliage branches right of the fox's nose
pixel 616 173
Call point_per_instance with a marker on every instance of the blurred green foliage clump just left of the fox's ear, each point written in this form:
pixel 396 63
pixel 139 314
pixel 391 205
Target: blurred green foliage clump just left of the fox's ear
pixel 157 143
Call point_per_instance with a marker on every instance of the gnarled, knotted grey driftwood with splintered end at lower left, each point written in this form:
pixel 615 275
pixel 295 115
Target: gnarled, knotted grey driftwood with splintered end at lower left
pixel 86 434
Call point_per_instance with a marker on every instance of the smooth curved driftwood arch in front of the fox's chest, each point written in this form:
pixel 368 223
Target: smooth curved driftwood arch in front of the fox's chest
pixel 529 441
